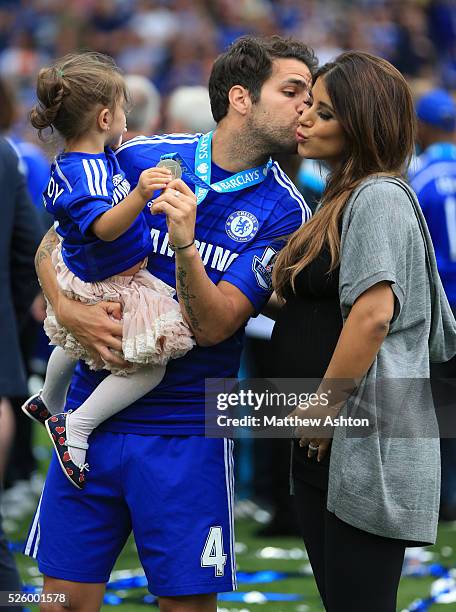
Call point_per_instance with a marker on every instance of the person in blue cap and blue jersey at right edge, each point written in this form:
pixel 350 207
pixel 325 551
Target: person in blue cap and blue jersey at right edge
pixel 434 181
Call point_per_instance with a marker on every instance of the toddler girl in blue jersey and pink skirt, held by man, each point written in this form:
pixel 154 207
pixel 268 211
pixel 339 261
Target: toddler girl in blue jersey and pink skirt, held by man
pixel 103 252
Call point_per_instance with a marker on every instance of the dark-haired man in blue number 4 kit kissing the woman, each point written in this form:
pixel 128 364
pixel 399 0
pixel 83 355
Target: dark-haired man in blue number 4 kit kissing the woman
pixel 153 471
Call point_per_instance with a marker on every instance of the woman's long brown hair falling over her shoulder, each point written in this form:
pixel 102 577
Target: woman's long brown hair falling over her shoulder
pixel 374 106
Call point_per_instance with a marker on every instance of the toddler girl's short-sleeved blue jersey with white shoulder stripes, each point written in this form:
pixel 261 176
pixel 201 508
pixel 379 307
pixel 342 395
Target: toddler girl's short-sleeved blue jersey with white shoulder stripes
pixel 81 188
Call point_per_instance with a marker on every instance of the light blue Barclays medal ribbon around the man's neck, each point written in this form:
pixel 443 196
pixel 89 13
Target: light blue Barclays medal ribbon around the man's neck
pixel 201 177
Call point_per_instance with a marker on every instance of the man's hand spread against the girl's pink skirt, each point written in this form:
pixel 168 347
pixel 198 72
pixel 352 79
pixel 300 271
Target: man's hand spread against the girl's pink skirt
pixel 94 327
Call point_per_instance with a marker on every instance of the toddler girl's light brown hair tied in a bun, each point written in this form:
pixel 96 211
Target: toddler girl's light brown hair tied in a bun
pixel 73 90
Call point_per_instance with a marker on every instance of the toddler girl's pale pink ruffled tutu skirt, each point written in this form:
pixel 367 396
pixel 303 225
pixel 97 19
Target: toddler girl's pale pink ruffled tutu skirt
pixel 154 330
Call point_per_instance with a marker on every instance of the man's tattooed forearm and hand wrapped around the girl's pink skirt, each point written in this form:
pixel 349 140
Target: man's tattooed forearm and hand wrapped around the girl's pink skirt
pixel 91 325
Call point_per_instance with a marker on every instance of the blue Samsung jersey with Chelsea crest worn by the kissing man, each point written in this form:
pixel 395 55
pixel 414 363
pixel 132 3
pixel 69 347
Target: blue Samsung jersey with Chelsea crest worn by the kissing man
pixel 237 235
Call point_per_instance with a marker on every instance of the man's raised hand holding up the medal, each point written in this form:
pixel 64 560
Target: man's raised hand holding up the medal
pixel 178 203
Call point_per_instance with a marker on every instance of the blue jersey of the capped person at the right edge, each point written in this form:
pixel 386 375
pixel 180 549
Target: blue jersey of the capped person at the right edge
pixel 434 182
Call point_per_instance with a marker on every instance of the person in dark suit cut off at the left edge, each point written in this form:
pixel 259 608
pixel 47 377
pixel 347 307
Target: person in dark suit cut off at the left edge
pixel 19 235
